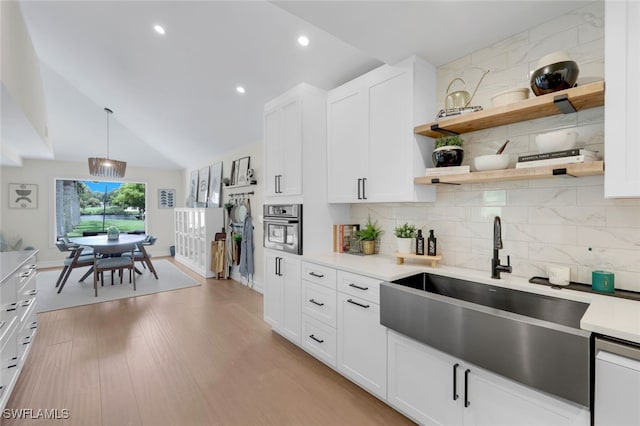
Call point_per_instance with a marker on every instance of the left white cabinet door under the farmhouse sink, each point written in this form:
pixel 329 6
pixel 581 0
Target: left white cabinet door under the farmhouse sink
pixel 424 384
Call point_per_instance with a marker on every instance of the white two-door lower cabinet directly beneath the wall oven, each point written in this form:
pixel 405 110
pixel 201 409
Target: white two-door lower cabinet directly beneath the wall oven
pixel 282 293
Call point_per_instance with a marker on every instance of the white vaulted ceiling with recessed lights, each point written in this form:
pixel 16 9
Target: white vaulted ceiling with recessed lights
pixel 174 95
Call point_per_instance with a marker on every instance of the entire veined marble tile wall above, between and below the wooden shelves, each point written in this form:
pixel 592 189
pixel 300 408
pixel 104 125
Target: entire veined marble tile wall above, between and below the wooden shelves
pixel 549 221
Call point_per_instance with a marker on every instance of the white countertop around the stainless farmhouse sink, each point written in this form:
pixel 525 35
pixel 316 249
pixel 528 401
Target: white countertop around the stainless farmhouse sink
pixel 610 316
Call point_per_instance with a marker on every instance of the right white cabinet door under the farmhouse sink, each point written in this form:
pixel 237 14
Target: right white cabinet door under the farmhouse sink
pixel 494 400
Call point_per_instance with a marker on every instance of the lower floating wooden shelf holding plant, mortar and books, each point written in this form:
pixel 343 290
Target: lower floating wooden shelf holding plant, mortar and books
pixel 592 168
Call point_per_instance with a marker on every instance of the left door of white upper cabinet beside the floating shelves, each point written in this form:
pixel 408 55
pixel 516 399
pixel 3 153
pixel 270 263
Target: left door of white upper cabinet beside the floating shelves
pixel 347 144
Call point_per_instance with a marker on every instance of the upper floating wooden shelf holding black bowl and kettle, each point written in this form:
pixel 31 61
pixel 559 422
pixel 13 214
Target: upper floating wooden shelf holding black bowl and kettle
pixel 565 101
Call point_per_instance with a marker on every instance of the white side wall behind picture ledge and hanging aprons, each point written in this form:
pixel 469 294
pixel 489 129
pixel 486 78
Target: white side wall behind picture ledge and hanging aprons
pixel 255 151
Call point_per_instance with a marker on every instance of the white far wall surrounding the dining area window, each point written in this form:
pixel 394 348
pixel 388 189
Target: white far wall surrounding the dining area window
pixel 37 226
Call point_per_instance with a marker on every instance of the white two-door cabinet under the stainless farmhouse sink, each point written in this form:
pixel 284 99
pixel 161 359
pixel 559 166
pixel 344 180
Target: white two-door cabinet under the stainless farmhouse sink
pixel 436 389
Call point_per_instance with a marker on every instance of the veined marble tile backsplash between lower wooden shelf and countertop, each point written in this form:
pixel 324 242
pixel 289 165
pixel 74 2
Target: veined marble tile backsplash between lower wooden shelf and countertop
pixel 559 224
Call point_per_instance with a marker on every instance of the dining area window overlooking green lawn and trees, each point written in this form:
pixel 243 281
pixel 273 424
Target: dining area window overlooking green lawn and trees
pixel 89 207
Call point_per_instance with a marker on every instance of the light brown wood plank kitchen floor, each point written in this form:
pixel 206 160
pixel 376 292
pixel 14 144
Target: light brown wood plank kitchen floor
pixel 196 356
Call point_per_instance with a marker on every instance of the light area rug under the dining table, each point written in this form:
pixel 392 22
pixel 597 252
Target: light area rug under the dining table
pixel 77 293
